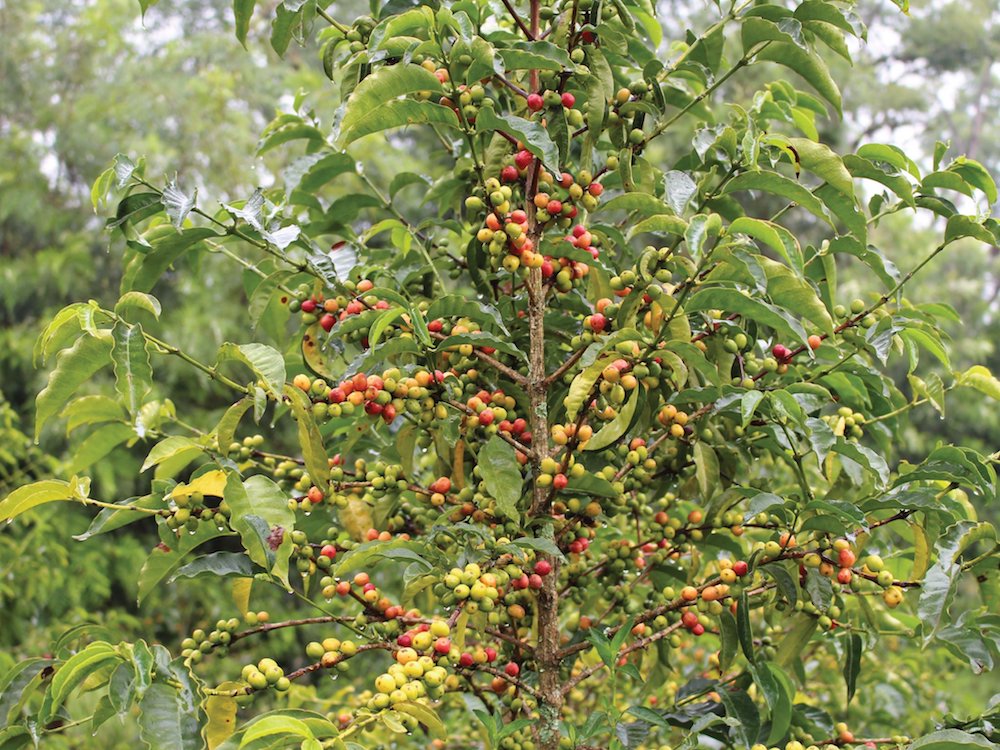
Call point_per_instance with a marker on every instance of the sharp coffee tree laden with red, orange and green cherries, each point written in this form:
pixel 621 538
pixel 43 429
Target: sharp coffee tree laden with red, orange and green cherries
pixel 590 453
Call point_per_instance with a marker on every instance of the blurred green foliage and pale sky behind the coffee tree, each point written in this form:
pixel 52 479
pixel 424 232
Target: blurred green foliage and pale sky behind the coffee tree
pixel 81 81
